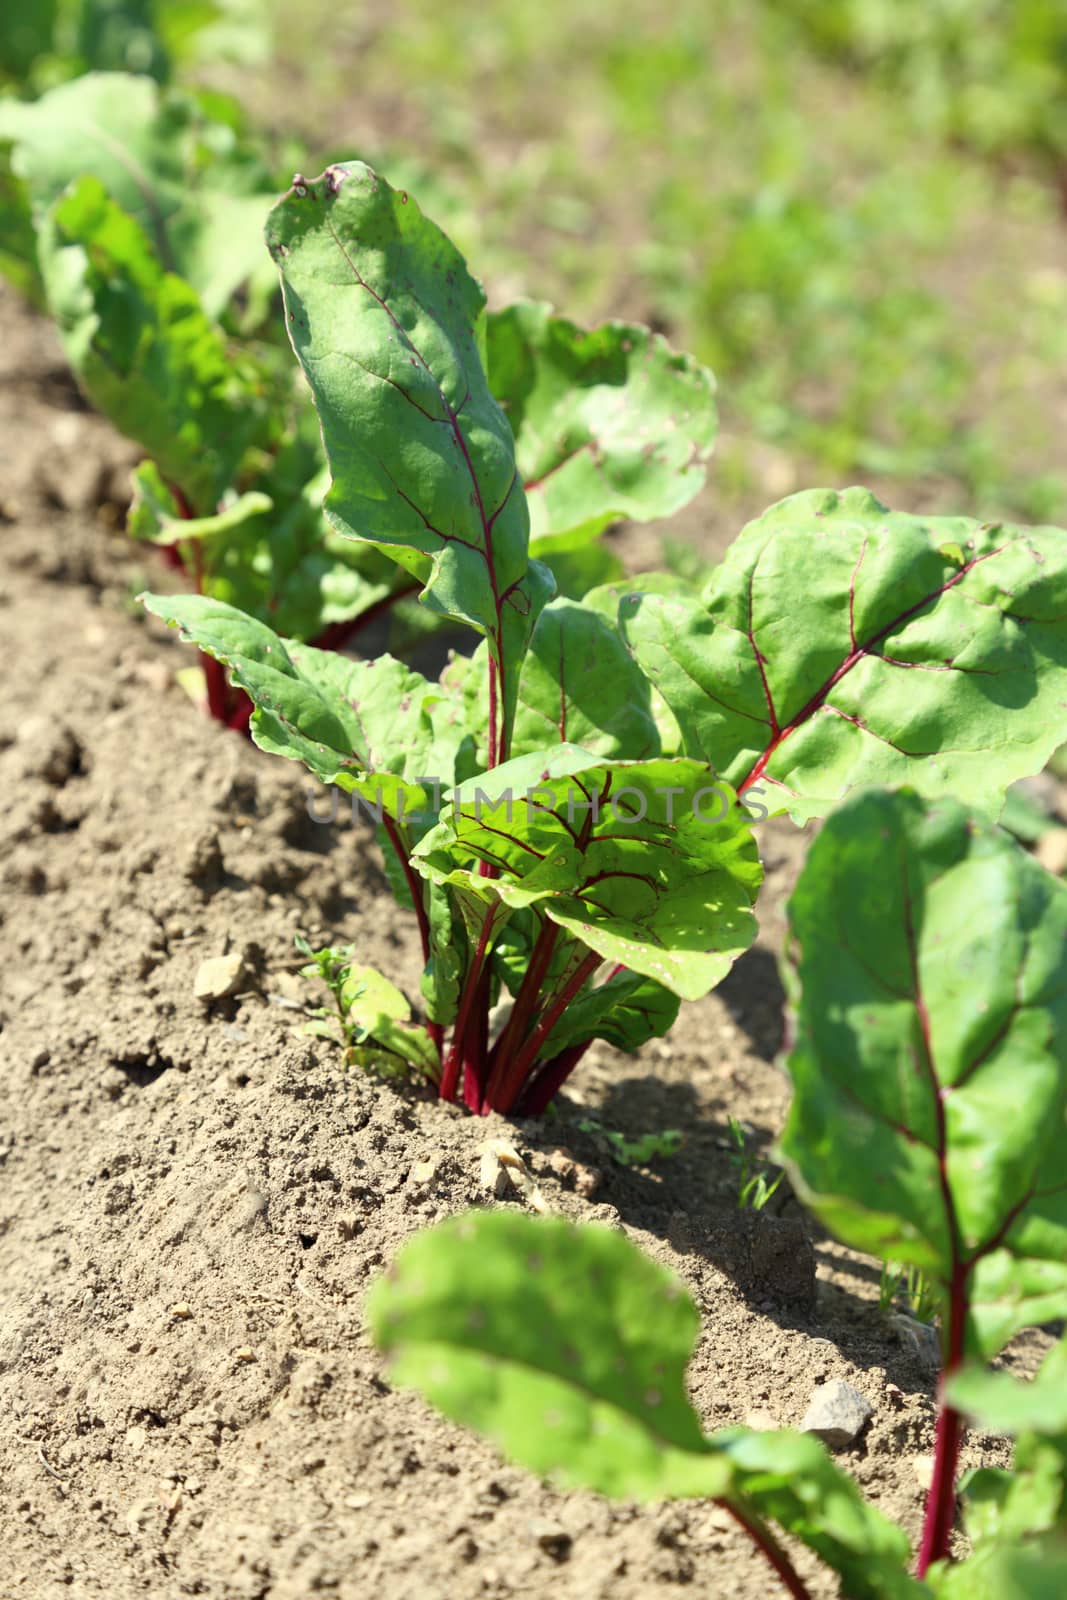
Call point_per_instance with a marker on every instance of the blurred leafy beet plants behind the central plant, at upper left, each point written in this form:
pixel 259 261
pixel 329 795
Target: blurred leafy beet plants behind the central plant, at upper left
pixel 135 217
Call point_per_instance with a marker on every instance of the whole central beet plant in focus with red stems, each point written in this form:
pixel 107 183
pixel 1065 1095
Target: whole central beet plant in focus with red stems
pixel 569 812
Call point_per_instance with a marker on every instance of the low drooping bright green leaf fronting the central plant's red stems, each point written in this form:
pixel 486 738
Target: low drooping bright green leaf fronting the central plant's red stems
pixel 628 857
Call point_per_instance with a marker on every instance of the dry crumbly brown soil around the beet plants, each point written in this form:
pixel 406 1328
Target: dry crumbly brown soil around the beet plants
pixel 194 1199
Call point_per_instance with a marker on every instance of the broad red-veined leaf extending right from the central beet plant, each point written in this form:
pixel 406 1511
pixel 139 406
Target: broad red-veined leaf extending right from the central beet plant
pixel 839 646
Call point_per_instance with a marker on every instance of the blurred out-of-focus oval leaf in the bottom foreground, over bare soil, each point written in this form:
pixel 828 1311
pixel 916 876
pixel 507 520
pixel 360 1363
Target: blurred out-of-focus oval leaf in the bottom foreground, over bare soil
pixel 567 1348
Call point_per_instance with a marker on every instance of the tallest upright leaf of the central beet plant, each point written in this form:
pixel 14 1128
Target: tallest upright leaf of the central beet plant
pixel 390 327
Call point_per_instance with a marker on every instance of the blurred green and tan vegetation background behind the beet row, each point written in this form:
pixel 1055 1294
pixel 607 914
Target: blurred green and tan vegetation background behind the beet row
pixel 852 210
